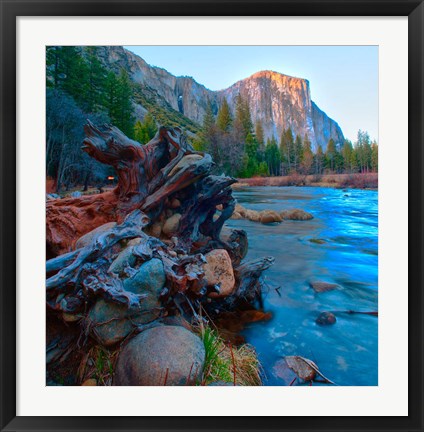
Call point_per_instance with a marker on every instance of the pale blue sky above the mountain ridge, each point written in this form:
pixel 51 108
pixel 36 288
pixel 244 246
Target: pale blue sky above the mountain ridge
pixel 343 79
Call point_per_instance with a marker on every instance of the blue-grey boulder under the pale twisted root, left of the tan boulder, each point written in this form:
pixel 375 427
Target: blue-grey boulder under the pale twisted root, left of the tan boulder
pixel 149 278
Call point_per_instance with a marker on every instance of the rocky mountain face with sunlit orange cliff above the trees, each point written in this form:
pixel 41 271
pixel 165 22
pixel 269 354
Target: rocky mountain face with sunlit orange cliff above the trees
pixel 278 100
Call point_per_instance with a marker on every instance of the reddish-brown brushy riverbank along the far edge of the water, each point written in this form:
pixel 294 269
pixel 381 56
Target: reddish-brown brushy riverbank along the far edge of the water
pixel 354 181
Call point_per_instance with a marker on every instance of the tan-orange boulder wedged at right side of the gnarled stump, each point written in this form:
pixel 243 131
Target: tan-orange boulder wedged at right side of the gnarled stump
pixel 219 271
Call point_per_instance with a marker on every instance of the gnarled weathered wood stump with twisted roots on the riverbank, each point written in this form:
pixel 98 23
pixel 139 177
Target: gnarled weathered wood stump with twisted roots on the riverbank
pixel 173 209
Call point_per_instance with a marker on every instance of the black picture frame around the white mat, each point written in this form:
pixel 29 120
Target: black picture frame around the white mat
pixel 10 10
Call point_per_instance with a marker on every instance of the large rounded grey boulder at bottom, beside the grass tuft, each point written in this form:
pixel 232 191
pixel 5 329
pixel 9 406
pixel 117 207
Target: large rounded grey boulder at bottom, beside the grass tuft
pixel 165 355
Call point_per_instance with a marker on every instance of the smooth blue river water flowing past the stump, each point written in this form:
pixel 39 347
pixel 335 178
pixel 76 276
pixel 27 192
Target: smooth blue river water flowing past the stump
pixel 347 221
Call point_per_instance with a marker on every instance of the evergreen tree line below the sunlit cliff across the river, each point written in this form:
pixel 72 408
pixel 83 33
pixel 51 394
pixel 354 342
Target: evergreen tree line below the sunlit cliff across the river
pixel 239 148
